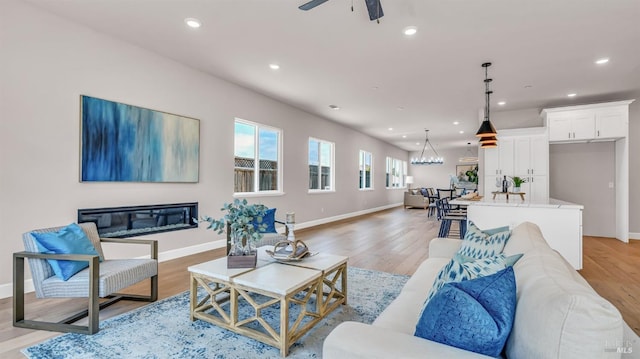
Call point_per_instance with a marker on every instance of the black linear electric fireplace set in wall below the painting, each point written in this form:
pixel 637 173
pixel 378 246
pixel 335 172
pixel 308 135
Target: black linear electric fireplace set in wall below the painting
pixel 120 222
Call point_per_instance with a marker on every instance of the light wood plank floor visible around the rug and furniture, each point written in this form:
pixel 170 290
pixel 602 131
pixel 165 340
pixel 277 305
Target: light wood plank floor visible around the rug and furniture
pixel 394 240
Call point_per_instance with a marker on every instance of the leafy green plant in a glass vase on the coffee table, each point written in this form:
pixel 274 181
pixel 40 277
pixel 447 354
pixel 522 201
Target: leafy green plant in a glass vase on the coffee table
pixel 243 222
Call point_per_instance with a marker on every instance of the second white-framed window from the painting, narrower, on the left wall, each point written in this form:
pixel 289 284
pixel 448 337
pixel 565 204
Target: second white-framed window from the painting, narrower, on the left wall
pixel 321 163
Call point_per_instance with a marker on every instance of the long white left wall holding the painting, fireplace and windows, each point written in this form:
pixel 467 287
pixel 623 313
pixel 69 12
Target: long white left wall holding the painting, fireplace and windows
pixel 48 62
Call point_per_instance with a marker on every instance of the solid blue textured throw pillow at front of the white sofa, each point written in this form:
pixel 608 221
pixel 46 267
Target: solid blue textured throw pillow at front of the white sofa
pixel 475 315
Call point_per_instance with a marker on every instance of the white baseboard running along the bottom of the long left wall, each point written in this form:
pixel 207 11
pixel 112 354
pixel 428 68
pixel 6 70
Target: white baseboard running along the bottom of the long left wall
pixel 6 290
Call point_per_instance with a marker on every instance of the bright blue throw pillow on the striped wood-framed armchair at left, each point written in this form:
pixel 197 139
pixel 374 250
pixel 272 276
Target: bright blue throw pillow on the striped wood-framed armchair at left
pixel 68 240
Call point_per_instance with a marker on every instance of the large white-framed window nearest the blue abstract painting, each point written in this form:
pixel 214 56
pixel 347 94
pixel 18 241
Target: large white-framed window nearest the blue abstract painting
pixel 257 152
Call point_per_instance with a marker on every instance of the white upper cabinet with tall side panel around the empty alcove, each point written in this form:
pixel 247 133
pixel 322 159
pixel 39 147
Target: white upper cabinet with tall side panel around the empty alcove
pixel 598 122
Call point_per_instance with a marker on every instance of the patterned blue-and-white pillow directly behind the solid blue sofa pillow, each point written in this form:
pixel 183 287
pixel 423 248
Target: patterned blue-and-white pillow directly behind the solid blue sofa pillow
pixel 458 270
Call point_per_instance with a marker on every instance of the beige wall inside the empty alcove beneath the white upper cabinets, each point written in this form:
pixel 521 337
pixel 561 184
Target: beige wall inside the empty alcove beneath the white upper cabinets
pixel 581 173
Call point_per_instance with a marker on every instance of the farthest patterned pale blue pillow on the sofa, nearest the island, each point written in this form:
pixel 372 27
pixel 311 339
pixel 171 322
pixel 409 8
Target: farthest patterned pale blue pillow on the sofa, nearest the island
pixel 481 244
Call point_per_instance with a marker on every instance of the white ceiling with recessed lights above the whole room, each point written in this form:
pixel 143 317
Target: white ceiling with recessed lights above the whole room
pixel 380 78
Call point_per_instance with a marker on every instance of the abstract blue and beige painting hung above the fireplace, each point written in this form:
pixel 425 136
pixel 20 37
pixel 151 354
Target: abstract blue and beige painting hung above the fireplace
pixel 125 143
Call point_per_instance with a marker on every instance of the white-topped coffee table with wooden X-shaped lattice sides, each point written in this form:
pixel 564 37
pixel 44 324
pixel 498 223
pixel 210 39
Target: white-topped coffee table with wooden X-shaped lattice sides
pixel 322 278
